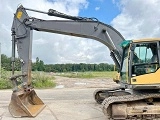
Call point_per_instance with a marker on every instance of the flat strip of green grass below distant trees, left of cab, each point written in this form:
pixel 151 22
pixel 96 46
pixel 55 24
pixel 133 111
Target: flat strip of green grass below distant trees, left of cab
pixel 104 74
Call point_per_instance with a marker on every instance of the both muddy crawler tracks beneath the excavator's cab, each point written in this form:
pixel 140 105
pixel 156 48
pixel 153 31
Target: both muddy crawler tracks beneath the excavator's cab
pixel 120 104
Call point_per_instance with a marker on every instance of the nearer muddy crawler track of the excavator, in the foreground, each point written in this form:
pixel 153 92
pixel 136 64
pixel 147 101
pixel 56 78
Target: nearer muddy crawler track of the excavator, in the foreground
pixel 135 106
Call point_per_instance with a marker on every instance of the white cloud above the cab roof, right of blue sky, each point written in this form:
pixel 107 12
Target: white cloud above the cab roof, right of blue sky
pixel 138 19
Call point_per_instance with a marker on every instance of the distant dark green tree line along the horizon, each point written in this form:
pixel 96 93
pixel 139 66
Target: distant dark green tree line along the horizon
pixel 39 65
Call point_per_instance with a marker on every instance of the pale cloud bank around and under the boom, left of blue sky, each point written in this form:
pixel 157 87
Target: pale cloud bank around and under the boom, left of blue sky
pixel 53 48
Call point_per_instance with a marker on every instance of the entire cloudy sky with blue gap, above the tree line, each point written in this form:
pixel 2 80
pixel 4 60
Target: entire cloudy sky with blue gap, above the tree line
pixel 134 19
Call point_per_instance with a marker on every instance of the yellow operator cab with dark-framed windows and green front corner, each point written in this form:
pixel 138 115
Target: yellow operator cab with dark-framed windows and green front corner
pixel 140 59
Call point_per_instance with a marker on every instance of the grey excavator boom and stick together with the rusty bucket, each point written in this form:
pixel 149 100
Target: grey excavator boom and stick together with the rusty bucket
pixel 22 29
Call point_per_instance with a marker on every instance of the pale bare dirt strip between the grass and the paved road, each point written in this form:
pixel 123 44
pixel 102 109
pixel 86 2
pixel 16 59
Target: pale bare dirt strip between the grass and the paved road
pixel 64 82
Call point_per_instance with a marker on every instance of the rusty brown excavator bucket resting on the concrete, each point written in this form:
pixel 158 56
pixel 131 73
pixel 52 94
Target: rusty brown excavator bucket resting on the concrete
pixel 25 104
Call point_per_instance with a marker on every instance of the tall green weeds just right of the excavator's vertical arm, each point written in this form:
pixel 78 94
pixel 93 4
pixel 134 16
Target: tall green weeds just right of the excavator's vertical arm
pixel 42 80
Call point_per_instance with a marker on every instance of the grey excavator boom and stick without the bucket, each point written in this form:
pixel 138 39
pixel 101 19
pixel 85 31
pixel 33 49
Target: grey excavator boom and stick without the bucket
pixel 77 26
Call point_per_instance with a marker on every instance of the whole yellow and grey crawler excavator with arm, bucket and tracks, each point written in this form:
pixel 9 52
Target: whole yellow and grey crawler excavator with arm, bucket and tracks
pixel 137 61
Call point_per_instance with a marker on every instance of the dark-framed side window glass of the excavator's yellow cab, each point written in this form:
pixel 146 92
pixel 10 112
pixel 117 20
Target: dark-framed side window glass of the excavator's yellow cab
pixel 145 58
